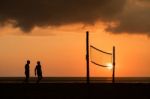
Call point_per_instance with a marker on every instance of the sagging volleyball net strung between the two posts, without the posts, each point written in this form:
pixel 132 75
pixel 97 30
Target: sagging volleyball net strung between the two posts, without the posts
pixel 99 57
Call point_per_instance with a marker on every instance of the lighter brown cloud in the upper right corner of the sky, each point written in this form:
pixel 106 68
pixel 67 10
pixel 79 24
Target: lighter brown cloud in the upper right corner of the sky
pixel 135 18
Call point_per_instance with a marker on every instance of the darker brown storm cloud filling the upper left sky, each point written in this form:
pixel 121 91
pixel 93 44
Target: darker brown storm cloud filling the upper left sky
pixel 26 14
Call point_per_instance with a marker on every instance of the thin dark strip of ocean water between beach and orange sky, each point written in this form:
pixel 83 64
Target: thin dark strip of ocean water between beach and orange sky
pixel 77 80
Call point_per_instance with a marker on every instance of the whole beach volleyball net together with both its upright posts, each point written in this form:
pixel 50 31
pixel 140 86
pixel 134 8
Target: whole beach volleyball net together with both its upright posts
pixel 100 58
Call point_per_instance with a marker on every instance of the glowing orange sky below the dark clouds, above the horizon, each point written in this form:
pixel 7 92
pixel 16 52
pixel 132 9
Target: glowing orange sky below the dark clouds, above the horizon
pixel 61 51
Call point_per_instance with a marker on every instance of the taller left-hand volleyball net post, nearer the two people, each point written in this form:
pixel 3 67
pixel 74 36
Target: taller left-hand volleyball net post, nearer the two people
pixel 87 59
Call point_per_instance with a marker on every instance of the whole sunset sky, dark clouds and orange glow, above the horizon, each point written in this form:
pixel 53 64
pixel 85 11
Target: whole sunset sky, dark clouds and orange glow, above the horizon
pixel 54 32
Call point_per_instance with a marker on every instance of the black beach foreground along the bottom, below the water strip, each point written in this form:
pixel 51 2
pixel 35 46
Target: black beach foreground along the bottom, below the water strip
pixel 75 91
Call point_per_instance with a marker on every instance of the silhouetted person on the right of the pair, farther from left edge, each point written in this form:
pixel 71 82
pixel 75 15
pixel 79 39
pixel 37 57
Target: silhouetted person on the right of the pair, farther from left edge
pixel 38 71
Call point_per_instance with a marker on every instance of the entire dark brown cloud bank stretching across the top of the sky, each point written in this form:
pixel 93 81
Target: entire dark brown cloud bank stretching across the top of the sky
pixel 129 16
